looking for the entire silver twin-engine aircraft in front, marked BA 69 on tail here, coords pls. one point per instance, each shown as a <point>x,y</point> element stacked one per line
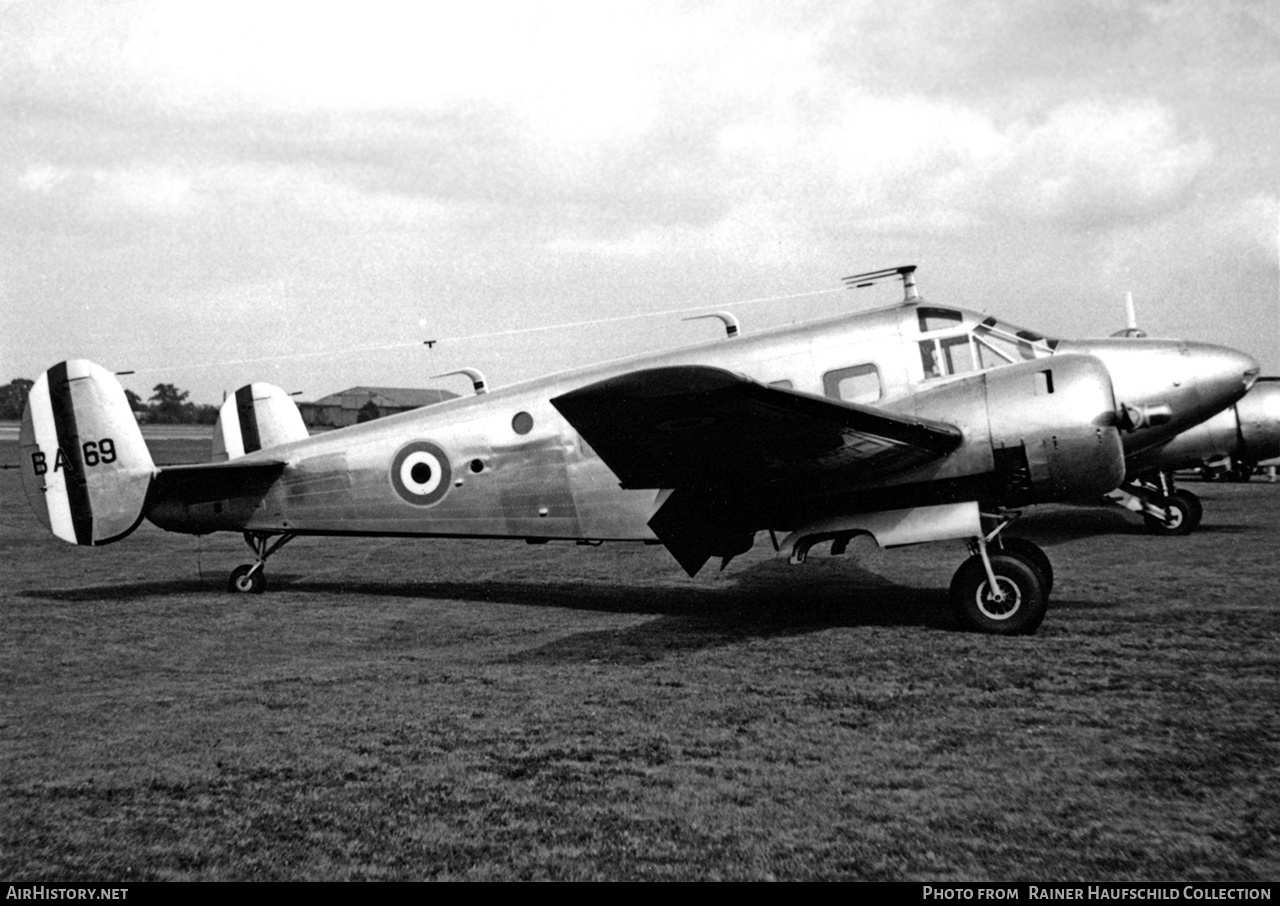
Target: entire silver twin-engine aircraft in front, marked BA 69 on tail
<point>912,424</point>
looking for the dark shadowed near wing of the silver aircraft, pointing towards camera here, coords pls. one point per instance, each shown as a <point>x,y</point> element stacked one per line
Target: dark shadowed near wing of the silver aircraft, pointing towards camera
<point>706,429</point>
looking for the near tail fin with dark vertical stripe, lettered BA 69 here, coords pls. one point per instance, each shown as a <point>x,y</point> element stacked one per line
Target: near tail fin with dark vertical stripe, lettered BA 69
<point>85,465</point>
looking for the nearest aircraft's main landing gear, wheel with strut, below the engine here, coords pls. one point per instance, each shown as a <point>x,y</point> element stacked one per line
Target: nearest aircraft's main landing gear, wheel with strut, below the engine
<point>1004,587</point>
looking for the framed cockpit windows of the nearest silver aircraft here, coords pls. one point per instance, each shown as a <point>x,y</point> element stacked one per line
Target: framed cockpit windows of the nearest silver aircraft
<point>990,345</point>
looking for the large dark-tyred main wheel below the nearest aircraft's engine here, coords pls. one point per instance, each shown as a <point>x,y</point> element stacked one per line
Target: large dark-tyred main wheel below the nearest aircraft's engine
<point>1020,614</point>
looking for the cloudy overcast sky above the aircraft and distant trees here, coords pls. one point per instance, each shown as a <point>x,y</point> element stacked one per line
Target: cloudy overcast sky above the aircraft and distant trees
<point>304,193</point>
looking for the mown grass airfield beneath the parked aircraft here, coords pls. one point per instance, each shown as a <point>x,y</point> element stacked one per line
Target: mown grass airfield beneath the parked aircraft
<point>465,711</point>
